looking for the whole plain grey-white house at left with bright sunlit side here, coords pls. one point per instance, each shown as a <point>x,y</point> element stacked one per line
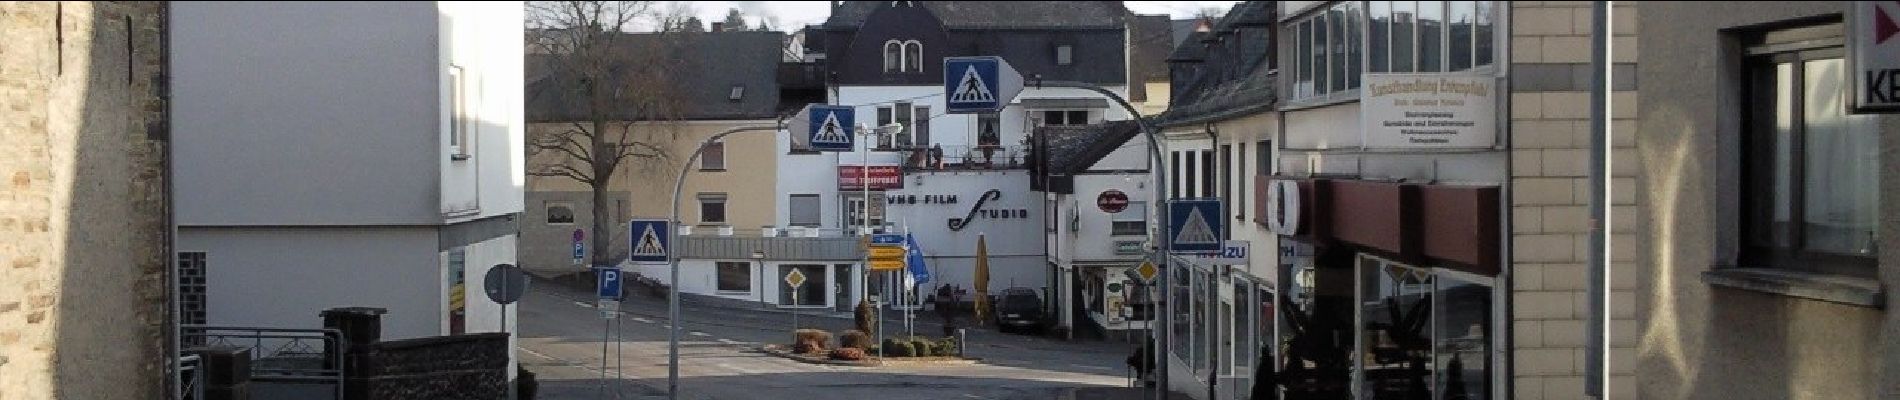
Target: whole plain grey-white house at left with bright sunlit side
<point>347,156</point>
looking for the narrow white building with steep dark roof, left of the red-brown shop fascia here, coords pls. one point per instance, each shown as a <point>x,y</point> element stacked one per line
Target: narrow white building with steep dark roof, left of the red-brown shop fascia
<point>1221,136</point>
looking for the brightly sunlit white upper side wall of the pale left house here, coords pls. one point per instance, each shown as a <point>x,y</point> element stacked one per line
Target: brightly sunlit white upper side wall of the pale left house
<point>489,183</point>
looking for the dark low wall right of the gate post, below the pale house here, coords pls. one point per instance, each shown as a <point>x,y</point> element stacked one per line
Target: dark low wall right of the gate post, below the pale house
<point>440,369</point>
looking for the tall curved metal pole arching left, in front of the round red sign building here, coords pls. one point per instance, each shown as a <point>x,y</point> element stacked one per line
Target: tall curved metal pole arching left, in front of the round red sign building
<point>1158,204</point>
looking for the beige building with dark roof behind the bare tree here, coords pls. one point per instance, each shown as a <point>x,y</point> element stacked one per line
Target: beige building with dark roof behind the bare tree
<point>715,82</point>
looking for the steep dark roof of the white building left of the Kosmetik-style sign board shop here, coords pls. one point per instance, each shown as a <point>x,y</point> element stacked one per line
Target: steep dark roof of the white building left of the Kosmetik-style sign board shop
<point>1226,71</point>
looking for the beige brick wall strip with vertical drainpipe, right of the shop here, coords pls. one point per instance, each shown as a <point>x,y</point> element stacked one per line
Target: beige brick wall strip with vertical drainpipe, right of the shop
<point>1549,177</point>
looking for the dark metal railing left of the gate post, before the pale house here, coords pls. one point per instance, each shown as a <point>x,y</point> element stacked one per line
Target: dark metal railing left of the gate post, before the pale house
<point>280,355</point>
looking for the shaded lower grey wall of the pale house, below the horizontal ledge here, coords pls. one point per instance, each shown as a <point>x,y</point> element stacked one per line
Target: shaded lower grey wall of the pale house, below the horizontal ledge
<point>254,280</point>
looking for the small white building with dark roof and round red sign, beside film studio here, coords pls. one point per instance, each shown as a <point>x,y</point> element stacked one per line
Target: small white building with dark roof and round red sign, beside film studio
<point>1099,191</point>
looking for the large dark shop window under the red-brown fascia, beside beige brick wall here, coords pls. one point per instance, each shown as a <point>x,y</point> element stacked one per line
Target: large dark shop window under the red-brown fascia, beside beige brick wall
<point>1422,333</point>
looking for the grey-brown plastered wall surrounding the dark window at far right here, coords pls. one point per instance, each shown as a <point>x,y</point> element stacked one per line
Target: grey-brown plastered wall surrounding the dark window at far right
<point>1711,342</point>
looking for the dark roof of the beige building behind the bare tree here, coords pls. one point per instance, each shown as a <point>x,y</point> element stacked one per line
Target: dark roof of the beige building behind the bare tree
<point>700,75</point>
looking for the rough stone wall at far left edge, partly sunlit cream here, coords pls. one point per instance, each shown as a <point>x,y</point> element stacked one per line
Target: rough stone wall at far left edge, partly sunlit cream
<point>83,211</point>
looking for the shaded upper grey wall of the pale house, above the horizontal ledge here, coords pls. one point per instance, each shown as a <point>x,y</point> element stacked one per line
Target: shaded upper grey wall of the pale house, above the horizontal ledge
<point>307,115</point>
